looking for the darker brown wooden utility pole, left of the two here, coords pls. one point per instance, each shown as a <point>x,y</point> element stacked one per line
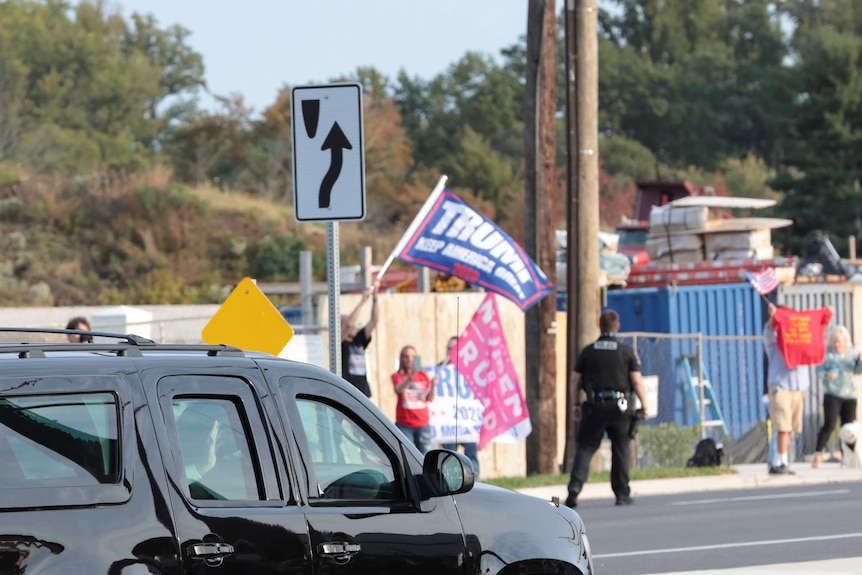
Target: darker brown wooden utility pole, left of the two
<point>540,331</point>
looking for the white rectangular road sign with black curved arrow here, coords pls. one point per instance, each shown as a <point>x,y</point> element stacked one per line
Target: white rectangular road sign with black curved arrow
<point>328,153</point>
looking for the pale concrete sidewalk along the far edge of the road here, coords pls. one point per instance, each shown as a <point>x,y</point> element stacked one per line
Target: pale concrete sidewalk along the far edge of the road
<point>746,477</point>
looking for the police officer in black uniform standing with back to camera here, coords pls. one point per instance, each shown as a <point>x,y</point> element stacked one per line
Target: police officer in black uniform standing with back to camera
<point>608,371</point>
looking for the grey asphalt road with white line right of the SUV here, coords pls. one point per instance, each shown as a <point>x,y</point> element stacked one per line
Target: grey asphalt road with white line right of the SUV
<point>725,529</point>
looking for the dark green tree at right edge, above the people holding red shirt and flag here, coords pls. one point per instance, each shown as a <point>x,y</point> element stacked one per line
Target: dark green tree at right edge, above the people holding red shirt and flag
<point>821,170</point>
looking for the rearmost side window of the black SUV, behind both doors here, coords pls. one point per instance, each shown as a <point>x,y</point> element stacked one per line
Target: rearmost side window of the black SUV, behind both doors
<point>59,440</point>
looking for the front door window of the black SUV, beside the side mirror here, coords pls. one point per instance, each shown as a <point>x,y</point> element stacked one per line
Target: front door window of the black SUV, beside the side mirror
<point>347,460</point>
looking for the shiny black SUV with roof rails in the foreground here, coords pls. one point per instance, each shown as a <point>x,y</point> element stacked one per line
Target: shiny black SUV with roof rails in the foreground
<point>131,457</point>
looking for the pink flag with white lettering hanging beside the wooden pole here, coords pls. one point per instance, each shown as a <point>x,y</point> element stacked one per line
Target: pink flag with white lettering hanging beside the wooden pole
<point>482,358</point>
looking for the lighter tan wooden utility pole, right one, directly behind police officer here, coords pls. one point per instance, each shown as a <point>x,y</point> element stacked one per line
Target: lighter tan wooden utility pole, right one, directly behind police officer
<point>582,117</point>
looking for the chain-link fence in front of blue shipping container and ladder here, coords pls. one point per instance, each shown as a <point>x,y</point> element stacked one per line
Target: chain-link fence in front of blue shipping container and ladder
<point>709,386</point>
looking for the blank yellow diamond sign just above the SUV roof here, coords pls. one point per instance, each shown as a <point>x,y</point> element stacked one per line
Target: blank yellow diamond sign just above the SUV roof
<point>248,320</point>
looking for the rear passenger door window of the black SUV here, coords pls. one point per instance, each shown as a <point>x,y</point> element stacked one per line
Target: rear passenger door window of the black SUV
<point>215,450</point>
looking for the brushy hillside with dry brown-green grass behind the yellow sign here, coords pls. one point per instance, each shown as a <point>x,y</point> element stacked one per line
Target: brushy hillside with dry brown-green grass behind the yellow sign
<point>110,238</point>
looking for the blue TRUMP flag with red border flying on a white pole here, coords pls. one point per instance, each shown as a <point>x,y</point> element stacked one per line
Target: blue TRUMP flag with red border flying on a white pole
<point>449,236</point>
